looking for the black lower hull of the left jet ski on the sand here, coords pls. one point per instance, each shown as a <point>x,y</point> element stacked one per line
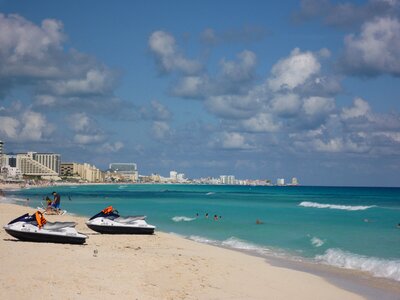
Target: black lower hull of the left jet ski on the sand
<point>45,238</point>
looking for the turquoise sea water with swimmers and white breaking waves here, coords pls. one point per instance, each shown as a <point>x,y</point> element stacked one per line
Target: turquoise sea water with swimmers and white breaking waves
<point>341,226</point>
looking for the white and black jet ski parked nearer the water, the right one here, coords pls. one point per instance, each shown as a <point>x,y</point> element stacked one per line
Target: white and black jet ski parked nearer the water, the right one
<point>109,221</point>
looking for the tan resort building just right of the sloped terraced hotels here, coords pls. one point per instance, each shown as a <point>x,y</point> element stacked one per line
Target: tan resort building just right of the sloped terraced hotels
<point>81,172</point>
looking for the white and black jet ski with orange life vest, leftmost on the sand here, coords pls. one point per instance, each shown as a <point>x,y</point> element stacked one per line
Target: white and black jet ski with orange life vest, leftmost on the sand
<point>35,228</point>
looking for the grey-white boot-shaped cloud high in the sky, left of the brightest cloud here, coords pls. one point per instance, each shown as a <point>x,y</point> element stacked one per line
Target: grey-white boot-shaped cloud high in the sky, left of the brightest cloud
<point>169,58</point>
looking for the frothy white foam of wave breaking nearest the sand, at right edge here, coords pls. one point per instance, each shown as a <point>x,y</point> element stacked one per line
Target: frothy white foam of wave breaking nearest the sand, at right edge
<point>378,267</point>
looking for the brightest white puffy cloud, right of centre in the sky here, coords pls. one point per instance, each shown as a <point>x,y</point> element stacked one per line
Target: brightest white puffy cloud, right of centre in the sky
<point>293,71</point>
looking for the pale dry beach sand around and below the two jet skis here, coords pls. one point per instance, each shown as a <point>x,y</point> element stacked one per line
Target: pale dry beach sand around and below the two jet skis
<point>159,266</point>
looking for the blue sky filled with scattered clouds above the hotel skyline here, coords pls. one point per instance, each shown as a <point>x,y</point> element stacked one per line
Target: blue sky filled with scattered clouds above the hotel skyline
<point>255,89</point>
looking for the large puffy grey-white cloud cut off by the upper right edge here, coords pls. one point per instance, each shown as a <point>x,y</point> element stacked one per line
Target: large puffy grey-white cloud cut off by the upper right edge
<point>375,51</point>
